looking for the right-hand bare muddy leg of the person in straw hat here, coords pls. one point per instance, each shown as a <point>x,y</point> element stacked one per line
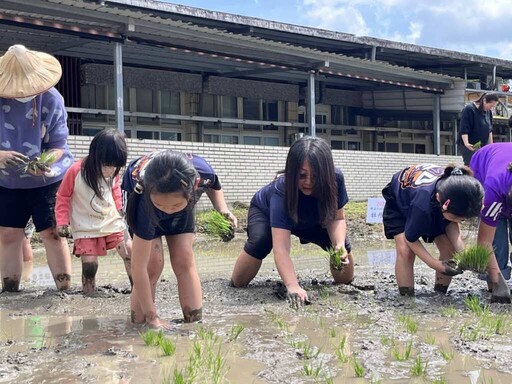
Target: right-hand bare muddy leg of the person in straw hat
<point>58,256</point>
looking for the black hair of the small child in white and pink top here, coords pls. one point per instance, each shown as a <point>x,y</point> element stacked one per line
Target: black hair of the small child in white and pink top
<point>108,148</point>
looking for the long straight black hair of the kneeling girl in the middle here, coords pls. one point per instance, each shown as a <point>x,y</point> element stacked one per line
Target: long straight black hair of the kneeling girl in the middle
<point>318,154</point>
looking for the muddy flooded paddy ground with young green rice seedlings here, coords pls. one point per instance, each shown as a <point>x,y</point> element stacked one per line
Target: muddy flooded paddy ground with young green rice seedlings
<point>365,329</point>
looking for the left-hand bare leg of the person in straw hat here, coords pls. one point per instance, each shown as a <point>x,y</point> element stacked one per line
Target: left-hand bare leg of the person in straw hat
<point>11,257</point>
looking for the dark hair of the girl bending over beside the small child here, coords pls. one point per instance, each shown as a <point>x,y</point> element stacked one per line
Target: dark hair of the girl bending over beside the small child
<point>167,172</point>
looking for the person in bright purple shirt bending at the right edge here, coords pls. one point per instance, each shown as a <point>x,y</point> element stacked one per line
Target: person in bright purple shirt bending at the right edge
<point>492,165</point>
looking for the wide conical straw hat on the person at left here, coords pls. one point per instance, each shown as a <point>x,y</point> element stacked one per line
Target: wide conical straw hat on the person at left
<point>25,73</point>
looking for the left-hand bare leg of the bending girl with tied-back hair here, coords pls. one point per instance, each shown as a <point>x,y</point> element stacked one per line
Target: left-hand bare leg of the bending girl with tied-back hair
<point>404,266</point>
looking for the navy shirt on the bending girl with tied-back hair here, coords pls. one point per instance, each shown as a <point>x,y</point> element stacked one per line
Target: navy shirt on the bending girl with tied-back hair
<point>414,189</point>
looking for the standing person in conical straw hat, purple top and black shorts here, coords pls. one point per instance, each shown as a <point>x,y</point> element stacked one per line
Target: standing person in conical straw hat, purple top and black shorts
<point>33,125</point>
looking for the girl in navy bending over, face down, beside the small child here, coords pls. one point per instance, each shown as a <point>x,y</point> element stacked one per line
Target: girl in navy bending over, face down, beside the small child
<point>161,190</point>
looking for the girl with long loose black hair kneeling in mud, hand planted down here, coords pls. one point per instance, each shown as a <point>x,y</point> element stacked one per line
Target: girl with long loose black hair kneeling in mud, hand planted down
<point>307,201</point>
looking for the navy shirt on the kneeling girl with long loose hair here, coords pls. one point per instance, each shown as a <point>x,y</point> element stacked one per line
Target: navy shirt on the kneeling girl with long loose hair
<point>270,199</point>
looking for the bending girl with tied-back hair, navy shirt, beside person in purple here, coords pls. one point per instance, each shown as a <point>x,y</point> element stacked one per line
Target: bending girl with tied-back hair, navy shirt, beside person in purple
<point>428,202</point>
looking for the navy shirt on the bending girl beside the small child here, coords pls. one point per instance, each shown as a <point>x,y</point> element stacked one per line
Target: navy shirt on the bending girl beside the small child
<point>135,171</point>
